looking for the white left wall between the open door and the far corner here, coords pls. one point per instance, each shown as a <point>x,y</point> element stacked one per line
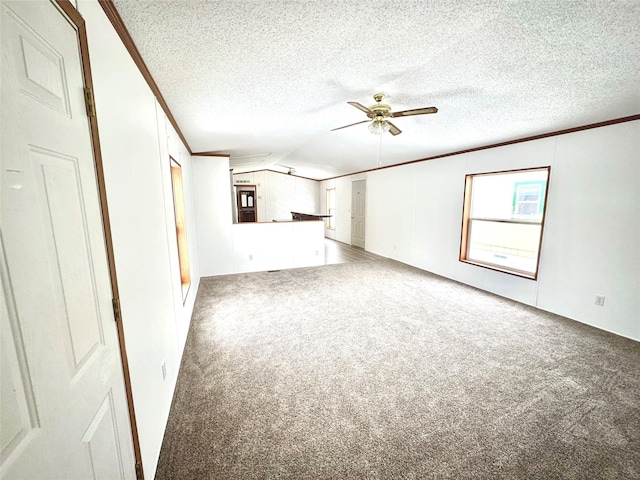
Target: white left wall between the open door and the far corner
<point>136,141</point>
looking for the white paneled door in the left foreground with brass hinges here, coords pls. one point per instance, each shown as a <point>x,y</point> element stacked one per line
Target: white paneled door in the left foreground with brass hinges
<point>64,412</point>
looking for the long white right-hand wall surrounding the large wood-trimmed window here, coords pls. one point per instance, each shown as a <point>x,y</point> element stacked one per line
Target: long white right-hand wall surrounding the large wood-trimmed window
<point>591,239</point>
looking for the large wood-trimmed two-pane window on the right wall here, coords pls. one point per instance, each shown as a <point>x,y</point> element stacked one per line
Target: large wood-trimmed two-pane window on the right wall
<point>503,219</point>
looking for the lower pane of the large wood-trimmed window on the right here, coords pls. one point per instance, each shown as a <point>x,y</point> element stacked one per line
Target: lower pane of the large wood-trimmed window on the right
<point>512,245</point>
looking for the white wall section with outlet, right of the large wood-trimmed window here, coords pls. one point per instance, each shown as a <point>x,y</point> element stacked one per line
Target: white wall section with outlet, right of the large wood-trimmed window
<point>593,230</point>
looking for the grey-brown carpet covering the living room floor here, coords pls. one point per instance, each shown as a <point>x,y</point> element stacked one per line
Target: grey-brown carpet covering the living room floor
<point>381,370</point>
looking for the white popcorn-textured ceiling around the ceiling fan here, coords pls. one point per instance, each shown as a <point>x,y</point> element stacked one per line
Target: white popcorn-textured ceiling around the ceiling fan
<point>272,78</point>
